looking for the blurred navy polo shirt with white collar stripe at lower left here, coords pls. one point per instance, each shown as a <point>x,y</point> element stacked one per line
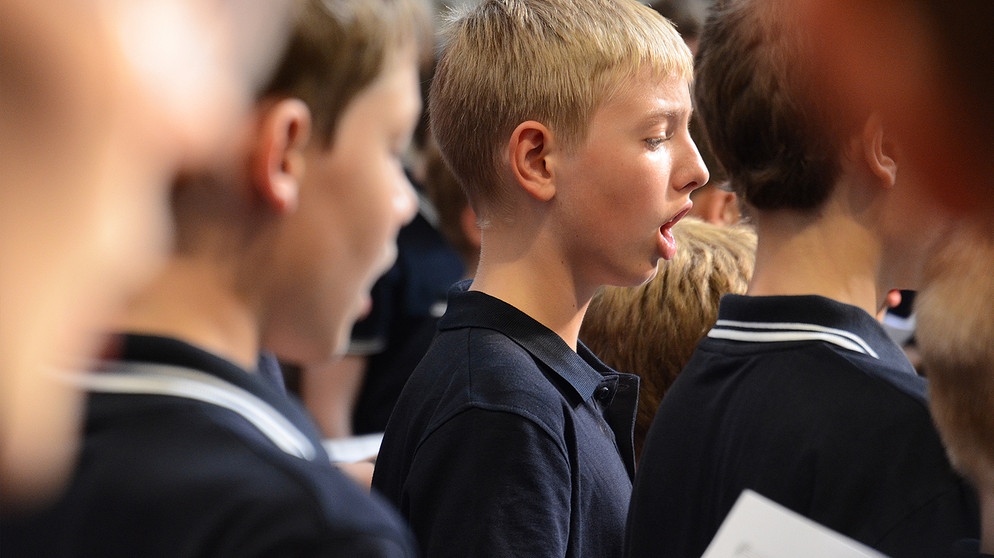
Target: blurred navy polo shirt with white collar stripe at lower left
<point>186,454</point>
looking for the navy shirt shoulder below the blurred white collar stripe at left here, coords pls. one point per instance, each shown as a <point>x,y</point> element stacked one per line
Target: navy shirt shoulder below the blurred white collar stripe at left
<point>186,469</point>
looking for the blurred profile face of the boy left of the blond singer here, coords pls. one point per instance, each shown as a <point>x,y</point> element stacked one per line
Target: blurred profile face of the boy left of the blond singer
<point>354,199</point>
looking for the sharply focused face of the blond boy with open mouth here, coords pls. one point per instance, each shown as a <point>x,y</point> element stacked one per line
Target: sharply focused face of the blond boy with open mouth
<point>623,189</point>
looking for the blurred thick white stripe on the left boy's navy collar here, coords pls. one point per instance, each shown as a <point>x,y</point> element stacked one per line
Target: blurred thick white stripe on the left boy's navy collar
<point>159,379</point>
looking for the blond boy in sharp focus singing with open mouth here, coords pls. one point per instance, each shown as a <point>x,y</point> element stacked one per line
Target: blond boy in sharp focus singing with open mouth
<point>566,123</point>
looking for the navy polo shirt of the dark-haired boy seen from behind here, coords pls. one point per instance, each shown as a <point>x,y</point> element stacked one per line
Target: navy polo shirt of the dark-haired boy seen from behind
<point>808,402</point>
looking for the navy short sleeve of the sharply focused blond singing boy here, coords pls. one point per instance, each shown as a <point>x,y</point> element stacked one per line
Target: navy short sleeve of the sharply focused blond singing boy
<point>490,483</point>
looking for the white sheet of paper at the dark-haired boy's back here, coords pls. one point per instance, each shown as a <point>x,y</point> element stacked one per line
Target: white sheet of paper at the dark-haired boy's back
<point>758,527</point>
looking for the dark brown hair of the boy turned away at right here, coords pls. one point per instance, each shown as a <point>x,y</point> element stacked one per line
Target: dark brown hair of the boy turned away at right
<point>762,121</point>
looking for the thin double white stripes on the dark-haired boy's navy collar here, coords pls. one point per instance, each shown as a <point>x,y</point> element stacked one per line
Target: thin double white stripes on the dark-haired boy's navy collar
<point>789,332</point>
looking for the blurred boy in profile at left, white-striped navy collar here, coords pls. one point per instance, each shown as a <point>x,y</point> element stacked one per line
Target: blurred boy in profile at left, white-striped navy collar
<point>189,450</point>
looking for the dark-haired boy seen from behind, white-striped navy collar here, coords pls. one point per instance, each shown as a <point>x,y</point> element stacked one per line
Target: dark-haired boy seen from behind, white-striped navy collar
<point>797,392</point>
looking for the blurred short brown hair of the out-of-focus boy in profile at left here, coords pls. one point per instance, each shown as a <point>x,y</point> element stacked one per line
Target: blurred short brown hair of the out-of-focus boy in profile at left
<point>339,47</point>
